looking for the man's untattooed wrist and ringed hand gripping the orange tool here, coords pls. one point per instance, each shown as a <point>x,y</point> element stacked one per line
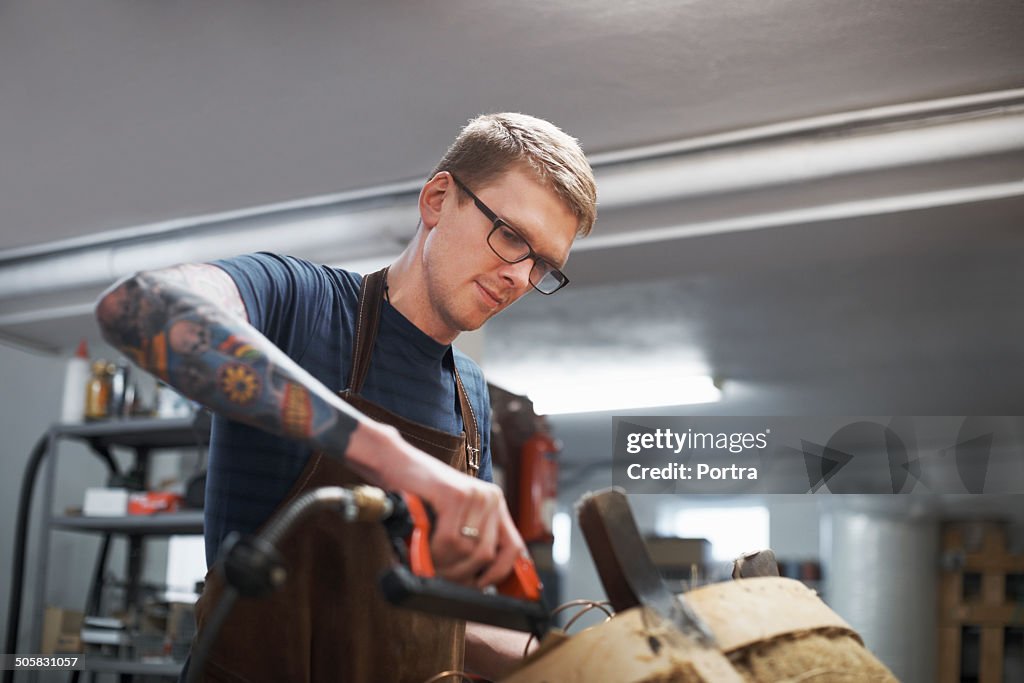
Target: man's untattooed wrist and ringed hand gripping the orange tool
<point>462,505</point>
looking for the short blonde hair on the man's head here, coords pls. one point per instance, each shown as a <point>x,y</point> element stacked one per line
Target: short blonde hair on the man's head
<point>493,144</point>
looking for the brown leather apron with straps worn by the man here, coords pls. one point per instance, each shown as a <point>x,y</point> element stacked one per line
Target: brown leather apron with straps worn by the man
<point>329,622</point>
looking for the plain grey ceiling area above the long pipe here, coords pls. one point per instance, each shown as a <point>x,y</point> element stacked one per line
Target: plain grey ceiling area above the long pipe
<point>118,114</point>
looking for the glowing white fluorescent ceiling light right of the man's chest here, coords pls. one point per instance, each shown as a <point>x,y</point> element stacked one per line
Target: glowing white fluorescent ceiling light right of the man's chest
<point>615,390</point>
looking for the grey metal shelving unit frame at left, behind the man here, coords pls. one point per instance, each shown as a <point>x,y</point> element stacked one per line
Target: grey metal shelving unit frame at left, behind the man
<point>142,437</point>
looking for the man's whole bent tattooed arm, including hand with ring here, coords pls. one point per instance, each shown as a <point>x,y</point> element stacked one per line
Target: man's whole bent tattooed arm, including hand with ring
<point>189,327</point>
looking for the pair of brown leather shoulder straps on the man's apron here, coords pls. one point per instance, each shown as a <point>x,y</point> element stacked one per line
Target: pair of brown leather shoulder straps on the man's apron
<point>367,326</point>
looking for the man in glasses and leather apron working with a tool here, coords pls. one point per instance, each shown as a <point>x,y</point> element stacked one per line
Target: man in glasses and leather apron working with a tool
<point>267,341</point>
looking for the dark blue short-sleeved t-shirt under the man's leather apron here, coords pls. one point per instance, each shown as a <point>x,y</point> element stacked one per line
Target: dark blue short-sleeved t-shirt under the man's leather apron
<point>310,313</point>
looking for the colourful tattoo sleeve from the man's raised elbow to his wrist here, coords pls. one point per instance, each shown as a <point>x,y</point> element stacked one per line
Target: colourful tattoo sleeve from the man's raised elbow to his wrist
<point>202,346</point>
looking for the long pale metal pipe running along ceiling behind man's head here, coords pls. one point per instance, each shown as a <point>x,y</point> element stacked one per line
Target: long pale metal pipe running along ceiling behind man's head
<point>376,224</point>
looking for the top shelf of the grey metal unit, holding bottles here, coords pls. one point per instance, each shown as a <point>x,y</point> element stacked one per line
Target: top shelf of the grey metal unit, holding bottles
<point>143,433</point>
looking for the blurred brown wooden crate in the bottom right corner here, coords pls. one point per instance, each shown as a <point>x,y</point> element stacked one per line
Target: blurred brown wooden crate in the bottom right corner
<point>974,599</point>
